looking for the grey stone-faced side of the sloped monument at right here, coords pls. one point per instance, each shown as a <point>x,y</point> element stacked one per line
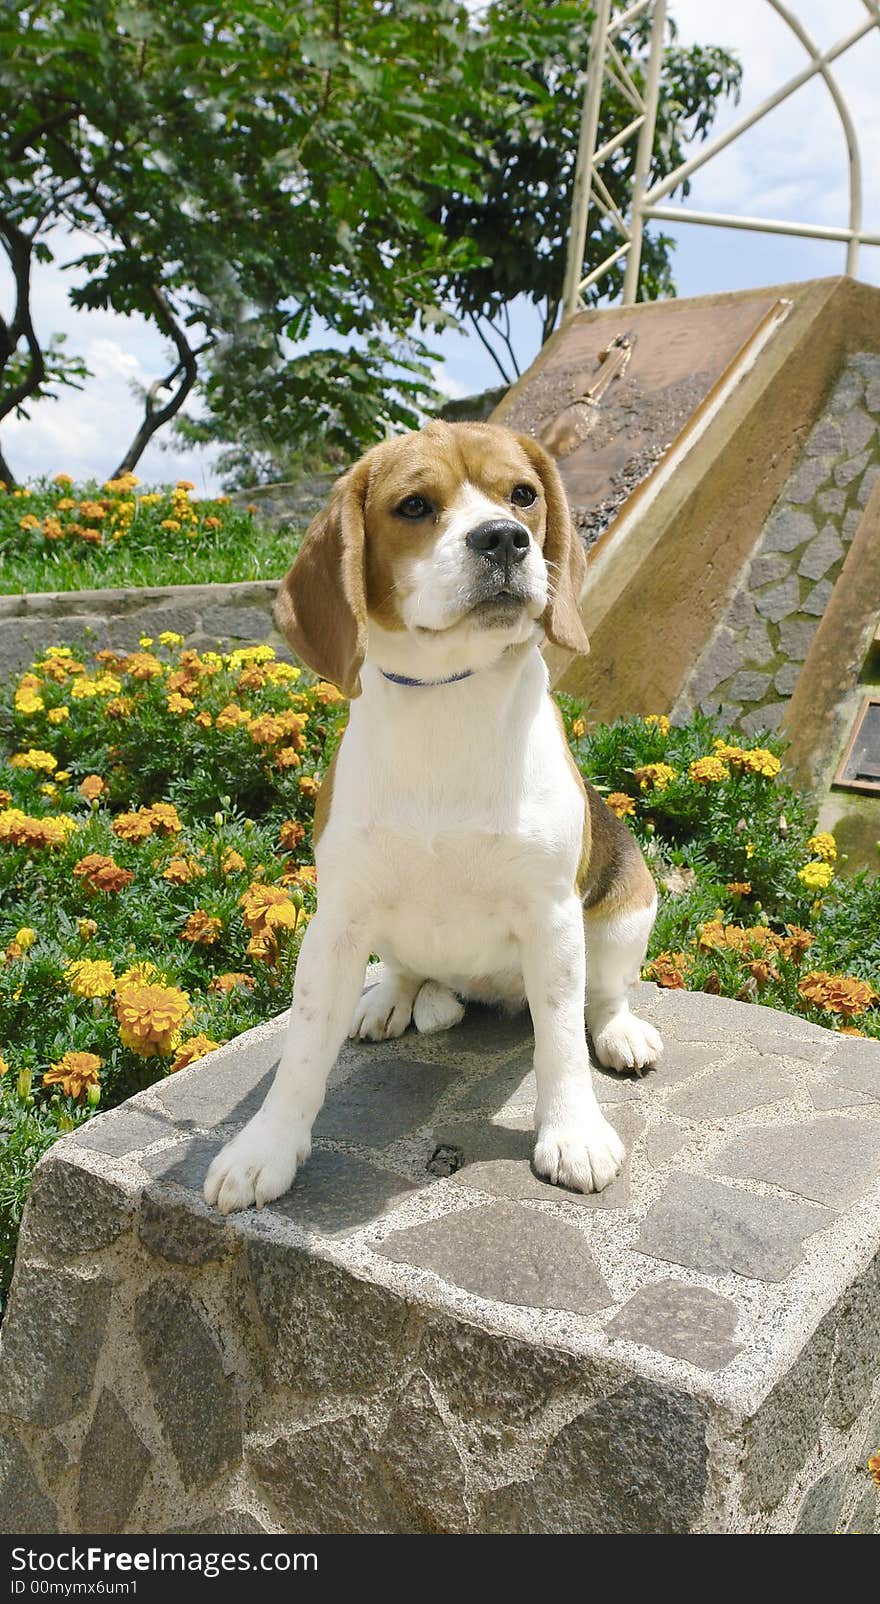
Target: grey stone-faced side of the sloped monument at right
<point>753,663</point>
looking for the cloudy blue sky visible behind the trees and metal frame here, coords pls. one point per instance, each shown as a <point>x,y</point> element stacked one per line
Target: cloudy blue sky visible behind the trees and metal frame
<point>791,166</point>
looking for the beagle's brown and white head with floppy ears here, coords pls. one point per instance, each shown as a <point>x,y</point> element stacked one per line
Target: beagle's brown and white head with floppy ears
<point>435,553</point>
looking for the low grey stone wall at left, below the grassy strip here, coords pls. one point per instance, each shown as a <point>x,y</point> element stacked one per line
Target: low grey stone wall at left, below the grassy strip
<point>208,617</point>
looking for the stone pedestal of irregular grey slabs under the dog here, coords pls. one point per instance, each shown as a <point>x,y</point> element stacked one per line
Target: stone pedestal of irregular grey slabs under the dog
<point>426,1337</point>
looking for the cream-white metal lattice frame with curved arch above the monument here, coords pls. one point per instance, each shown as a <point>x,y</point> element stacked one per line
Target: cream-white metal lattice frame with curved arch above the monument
<point>648,203</point>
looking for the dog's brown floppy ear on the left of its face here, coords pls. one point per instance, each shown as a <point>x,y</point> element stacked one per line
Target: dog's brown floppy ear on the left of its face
<point>321,607</point>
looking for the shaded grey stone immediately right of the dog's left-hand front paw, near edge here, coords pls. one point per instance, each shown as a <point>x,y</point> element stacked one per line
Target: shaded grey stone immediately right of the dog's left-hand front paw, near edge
<point>337,1194</point>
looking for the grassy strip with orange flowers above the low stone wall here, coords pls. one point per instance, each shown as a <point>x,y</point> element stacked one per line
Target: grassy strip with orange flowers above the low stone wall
<point>134,549</point>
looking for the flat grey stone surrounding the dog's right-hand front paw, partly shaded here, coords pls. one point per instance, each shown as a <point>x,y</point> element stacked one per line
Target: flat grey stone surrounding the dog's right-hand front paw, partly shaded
<point>499,1160</point>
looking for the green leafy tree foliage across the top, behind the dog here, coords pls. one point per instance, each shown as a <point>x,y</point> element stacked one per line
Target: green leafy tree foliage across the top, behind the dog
<point>249,174</point>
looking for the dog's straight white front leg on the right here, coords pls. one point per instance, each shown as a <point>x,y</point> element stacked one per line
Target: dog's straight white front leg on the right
<point>576,1146</point>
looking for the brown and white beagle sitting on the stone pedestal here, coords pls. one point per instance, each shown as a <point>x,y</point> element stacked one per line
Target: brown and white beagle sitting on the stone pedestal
<point>454,833</point>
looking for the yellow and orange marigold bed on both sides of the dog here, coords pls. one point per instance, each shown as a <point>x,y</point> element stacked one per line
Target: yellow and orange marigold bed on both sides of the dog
<point>156,873</point>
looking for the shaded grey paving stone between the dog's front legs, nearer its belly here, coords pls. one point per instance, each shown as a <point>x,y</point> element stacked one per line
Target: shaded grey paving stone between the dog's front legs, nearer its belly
<point>387,1098</point>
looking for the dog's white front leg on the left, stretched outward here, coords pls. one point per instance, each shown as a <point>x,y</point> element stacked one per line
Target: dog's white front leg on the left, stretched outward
<point>262,1160</point>
